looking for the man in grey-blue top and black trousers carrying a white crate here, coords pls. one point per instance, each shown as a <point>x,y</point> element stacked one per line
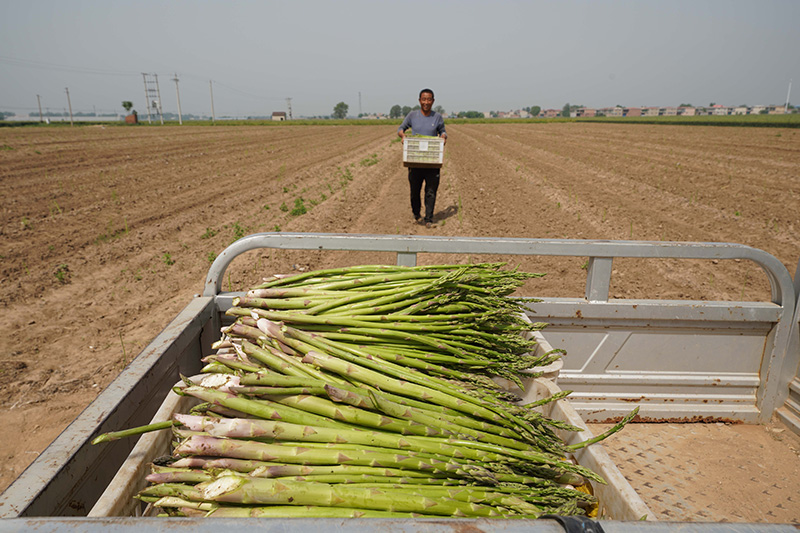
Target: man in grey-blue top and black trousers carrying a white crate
<point>423,121</point>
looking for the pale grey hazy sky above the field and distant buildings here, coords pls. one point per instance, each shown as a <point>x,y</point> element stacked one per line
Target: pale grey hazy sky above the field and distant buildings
<point>499,55</point>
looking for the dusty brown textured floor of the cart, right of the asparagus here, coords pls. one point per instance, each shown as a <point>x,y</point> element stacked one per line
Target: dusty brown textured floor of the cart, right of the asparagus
<point>715,472</point>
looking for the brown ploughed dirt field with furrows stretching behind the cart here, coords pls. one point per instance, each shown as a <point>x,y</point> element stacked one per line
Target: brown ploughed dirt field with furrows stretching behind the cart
<point>106,233</point>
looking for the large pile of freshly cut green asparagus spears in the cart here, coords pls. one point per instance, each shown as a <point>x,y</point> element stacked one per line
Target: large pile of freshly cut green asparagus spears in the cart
<point>368,391</point>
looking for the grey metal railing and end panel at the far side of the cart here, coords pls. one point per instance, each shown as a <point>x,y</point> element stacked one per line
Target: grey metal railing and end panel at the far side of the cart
<point>749,391</point>
